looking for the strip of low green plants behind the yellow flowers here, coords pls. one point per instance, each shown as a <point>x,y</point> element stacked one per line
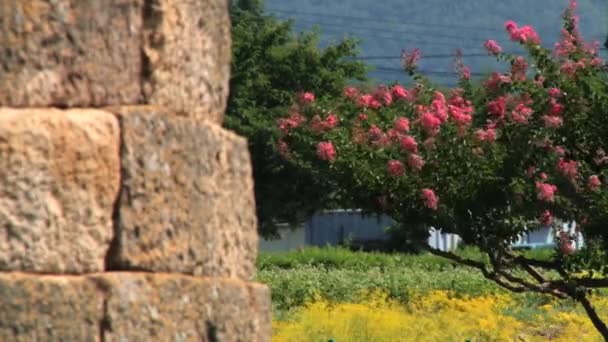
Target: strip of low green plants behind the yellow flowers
<point>338,274</point>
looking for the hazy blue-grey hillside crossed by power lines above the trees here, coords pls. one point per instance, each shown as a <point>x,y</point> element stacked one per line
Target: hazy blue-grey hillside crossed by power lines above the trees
<point>438,27</point>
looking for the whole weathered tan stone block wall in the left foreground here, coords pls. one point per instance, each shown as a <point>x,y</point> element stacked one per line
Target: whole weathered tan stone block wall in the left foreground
<point>126,212</point>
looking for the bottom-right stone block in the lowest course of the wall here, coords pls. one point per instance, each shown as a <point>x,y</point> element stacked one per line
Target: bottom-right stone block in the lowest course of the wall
<point>167,307</point>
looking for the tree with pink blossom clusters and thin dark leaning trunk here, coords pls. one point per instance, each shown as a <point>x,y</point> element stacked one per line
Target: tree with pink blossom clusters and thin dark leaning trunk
<point>488,160</point>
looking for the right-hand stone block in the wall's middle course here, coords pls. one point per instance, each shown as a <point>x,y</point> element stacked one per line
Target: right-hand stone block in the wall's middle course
<point>186,203</point>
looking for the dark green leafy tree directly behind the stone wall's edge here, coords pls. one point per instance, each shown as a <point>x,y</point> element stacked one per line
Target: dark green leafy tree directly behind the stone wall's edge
<point>270,62</point>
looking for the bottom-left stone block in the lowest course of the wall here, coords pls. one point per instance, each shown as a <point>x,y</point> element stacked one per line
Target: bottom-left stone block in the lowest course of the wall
<point>49,308</point>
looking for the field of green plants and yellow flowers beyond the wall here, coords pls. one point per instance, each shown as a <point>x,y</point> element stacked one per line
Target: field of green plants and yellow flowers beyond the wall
<point>322,293</point>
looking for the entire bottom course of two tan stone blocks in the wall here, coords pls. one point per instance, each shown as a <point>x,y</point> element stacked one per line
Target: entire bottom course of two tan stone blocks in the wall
<point>132,307</point>
